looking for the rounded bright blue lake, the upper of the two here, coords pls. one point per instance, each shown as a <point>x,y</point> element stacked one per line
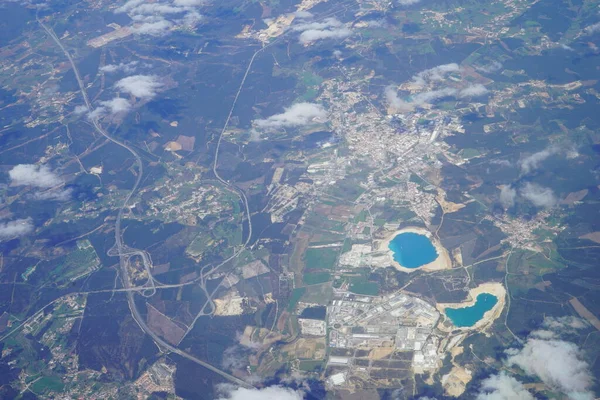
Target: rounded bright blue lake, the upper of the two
<point>412,250</point>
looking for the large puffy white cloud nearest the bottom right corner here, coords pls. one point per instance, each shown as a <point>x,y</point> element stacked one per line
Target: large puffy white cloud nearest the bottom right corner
<point>559,364</point>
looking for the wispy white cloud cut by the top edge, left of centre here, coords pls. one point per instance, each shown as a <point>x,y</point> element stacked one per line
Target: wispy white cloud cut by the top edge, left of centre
<point>160,17</point>
